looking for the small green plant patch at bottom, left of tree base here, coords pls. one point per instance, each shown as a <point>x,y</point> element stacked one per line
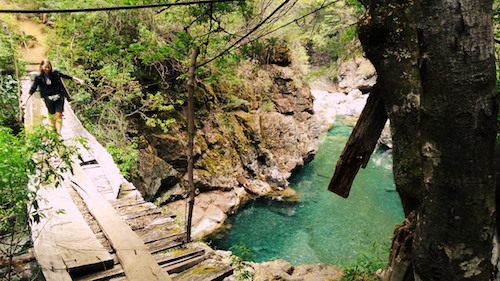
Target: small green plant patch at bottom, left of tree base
<point>366,264</point>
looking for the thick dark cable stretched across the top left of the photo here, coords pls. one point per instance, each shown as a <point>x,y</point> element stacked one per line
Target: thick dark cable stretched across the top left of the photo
<point>86,10</point>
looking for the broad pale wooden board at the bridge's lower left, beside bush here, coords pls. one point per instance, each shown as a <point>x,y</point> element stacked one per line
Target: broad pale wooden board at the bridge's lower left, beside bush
<point>68,237</point>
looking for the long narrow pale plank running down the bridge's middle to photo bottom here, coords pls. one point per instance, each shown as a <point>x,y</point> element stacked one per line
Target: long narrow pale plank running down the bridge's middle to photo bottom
<point>134,256</point>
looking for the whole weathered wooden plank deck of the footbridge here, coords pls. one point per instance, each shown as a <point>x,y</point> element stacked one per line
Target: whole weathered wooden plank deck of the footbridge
<point>98,226</point>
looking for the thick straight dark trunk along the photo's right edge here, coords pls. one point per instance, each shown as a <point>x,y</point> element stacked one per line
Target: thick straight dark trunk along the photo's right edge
<point>456,227</point>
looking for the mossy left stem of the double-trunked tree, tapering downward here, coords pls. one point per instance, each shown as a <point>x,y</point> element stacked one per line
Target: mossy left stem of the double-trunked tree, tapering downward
<point>388,34</point>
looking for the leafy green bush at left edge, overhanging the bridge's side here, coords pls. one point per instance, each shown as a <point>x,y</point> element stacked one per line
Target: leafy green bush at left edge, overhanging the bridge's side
<point>28,160</point>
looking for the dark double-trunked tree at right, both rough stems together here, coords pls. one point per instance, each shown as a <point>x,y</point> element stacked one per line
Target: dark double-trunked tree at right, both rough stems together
<point>435,66</point>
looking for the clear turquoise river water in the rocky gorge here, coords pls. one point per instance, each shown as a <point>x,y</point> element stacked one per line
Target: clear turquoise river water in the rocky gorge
<point>323,227</point>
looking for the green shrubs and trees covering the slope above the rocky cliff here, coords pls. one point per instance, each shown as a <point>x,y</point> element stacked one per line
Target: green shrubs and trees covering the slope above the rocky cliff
<point>136,61</point>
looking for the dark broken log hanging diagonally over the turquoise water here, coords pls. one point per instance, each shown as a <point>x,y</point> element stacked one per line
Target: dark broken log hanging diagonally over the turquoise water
<point>360,145</point>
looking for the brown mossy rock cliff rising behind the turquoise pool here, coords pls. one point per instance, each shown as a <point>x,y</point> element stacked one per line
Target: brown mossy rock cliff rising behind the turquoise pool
<point>240,153</point>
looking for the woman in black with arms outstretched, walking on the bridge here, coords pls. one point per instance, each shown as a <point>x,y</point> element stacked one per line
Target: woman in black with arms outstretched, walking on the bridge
<point>52,91</point>
